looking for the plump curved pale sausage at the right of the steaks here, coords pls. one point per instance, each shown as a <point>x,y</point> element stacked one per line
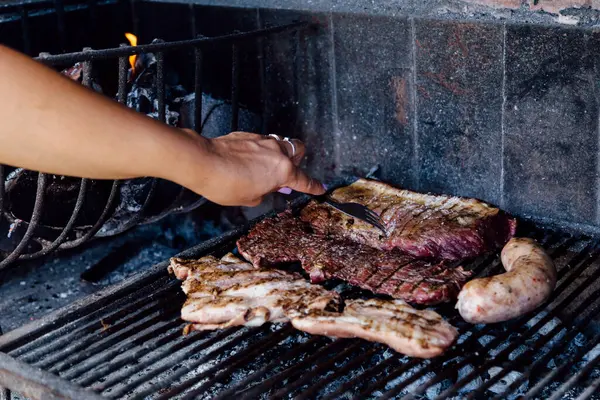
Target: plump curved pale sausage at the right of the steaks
<point>528,283</point>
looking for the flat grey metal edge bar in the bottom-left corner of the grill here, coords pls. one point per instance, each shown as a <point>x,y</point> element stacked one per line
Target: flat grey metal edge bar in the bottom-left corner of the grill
<point>38,384</point>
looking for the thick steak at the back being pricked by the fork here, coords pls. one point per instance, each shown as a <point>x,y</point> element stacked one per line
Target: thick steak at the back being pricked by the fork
<point>422,225</point>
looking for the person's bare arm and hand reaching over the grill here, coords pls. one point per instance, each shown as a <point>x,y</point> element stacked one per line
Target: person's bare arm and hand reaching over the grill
<point>54,125</point>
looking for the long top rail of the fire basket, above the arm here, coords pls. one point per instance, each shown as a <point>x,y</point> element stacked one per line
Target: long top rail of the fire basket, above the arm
<point>68,58</point>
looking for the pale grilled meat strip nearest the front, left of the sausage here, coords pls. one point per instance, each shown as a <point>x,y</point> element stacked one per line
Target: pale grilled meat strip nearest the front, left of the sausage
<point>416,333</point>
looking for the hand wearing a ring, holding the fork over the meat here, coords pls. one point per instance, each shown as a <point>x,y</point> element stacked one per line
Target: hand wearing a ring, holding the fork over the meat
<point>244,167</point>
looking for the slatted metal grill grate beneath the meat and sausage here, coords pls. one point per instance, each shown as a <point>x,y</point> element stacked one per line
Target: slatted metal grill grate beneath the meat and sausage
<point>127,342</point>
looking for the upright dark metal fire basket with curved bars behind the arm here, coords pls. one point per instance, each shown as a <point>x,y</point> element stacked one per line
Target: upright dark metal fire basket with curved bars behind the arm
<point>30,245</point>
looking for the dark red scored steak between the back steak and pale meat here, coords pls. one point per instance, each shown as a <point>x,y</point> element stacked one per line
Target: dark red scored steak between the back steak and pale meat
<point>285,238</point>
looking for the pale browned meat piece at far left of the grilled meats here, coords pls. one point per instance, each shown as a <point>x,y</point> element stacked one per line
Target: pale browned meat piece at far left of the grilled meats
<point>229,292</point>
